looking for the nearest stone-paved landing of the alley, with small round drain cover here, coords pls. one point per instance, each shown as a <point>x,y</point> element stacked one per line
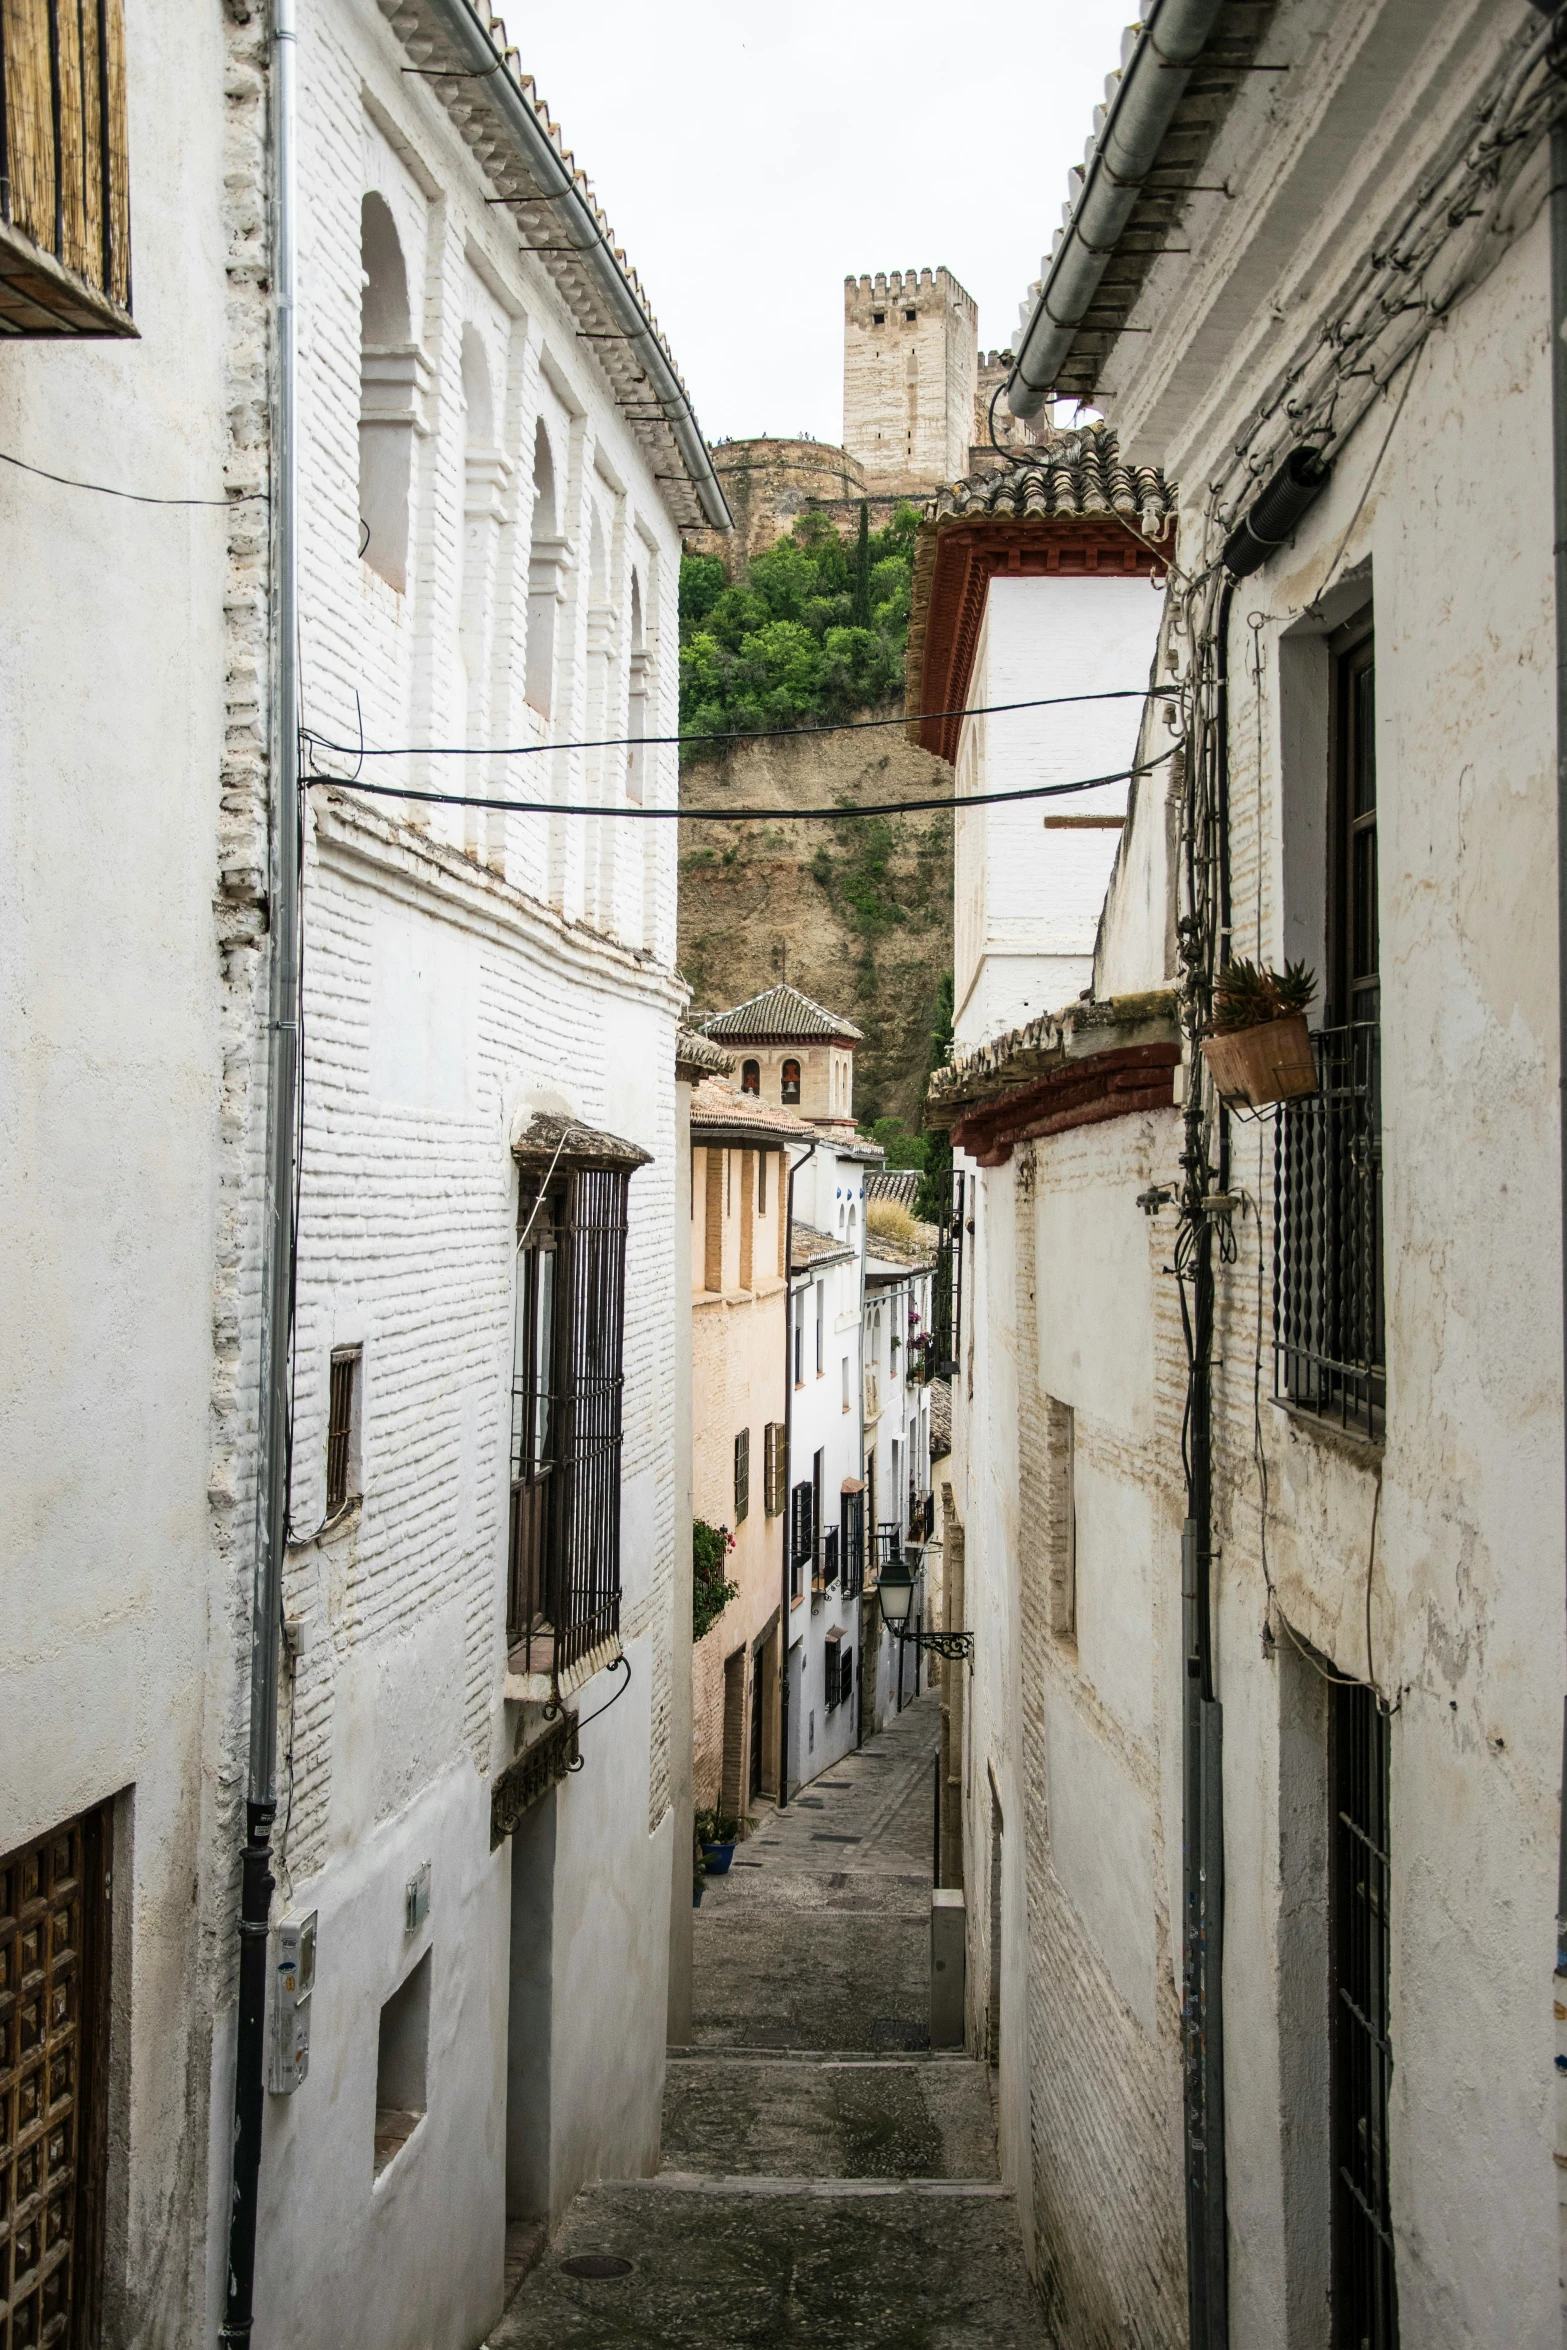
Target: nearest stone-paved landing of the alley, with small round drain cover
<point>899,2269</point>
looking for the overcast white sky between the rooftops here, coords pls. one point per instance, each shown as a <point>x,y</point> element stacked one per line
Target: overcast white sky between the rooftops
<point>753,156</point>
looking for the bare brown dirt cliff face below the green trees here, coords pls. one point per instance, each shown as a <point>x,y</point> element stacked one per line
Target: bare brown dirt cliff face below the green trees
<point>863,906</point>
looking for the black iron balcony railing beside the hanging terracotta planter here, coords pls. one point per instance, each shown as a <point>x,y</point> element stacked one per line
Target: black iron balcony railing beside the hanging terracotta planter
<point>1329,1322</point>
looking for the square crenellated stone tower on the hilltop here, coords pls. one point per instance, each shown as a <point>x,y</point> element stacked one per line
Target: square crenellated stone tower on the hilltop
<point>910,356</point>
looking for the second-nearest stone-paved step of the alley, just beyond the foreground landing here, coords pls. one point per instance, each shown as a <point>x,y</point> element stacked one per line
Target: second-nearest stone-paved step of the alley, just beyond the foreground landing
<point>830,2119</point>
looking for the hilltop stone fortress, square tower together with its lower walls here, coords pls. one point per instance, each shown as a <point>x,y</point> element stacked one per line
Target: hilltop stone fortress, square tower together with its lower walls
<point>917,394</point>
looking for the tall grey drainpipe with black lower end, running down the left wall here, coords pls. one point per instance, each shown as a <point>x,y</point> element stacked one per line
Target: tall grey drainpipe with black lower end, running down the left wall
<point>278,1235</point>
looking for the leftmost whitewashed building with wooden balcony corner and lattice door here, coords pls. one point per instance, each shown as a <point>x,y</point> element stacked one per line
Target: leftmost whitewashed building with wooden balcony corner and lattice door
<point>133,518</point>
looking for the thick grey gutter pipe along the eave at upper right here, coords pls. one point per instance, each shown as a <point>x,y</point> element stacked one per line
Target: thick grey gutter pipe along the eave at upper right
<point>1141,114</point>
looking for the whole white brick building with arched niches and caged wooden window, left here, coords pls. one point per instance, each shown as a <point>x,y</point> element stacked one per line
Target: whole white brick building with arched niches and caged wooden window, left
<point>487,1637</point>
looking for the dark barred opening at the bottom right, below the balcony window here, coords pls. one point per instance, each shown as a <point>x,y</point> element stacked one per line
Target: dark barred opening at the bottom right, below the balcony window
<point>1359,1888</point>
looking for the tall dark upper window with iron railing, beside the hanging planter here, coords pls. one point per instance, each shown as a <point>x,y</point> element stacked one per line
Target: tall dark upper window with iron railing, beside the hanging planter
<point>1329,1312</point>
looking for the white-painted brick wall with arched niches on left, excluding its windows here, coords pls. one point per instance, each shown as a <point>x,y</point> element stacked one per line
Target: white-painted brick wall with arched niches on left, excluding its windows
<point>464,972</point>
